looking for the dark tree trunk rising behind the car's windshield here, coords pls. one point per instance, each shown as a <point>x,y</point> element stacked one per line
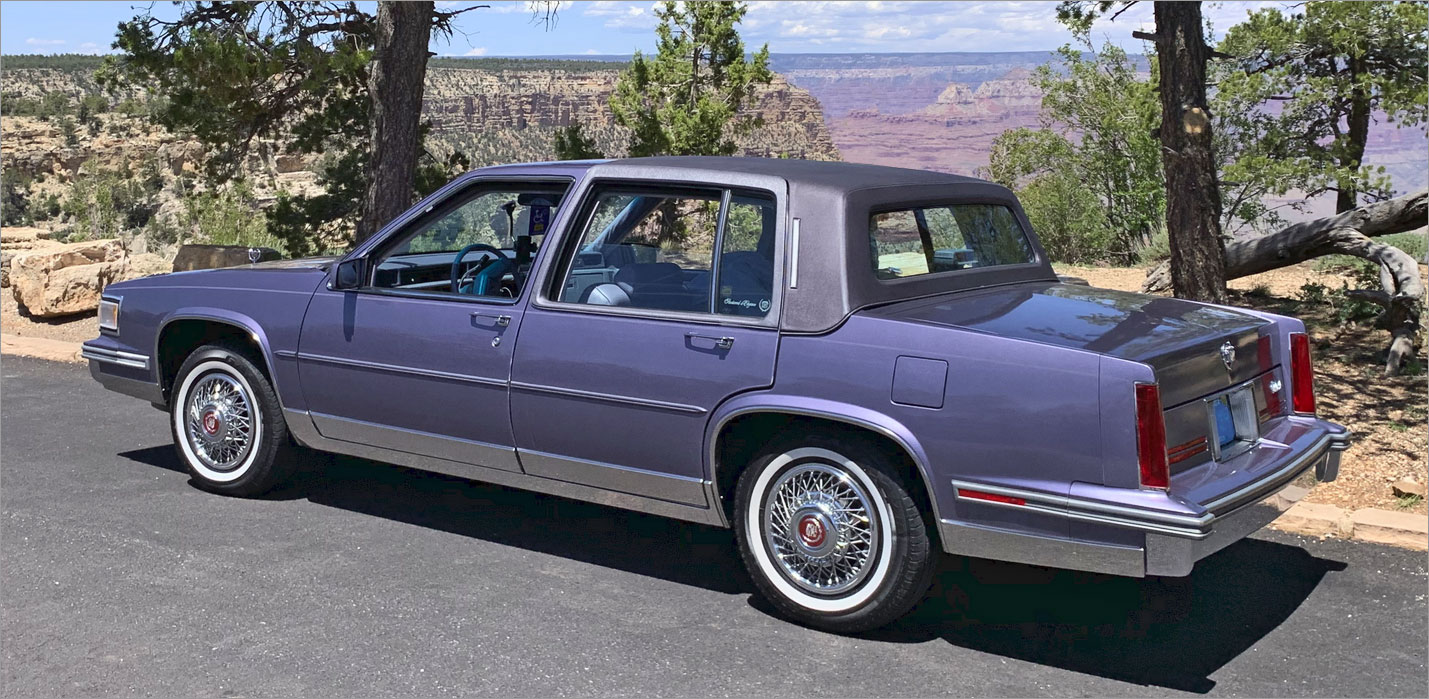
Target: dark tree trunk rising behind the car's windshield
<point>395,84</point>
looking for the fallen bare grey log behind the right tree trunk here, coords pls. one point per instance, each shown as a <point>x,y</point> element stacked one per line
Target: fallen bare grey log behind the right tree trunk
<point>1345,234</point>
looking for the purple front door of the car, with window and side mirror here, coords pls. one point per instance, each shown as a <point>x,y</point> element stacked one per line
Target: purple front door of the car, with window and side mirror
<point>419,358</point>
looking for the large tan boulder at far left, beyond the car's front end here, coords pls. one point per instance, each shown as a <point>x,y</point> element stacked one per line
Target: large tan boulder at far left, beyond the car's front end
<point>66,279</point>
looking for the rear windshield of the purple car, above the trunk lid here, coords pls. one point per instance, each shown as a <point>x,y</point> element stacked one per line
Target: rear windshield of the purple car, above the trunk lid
<point>938,239</point>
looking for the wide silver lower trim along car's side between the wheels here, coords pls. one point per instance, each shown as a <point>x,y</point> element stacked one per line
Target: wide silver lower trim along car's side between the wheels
<point>301,425</point>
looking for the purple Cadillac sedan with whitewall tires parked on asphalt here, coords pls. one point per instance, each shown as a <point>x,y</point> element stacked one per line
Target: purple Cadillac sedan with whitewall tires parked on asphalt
<point>852,367</point>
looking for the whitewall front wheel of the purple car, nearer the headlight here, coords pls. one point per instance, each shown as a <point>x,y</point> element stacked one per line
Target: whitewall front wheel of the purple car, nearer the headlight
<point>228,425</point>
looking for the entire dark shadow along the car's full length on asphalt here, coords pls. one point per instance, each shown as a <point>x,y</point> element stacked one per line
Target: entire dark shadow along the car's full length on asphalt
<point>1168,633</point>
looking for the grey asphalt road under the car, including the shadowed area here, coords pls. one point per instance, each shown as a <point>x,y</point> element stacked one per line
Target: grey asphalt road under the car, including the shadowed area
<point>364,580</point>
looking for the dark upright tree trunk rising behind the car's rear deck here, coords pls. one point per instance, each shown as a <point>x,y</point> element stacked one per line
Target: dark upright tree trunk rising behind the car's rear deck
<point>1193,192</point>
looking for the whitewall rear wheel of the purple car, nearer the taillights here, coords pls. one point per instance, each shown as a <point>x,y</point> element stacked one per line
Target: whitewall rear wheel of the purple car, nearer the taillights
<point>832,535</point>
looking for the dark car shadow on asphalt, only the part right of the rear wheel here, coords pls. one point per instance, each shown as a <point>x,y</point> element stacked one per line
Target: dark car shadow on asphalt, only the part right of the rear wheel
<point>1170,633</point>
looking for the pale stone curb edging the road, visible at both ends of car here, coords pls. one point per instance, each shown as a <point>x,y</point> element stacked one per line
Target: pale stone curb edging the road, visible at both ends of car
<point>1304,518</point>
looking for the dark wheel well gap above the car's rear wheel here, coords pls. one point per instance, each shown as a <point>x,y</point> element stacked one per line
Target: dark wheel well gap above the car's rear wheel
<point>741,440</point>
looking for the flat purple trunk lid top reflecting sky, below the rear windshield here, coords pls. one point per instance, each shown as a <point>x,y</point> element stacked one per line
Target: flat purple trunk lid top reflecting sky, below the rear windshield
<point>1134,327</point>
